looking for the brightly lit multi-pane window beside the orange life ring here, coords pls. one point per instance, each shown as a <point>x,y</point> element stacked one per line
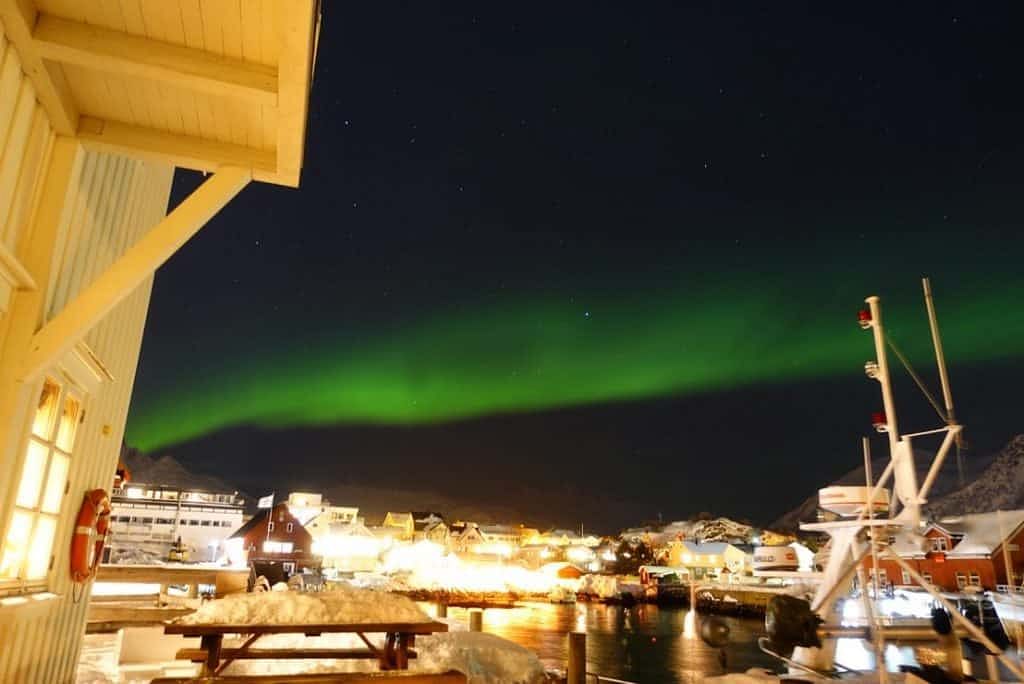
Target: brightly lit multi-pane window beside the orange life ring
<point>28,545</point>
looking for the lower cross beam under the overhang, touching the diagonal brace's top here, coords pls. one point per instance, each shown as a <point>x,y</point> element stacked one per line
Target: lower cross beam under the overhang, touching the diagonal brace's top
<point>182,151</point>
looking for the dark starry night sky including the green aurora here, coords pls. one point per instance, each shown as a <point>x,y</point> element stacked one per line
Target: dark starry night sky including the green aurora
<point>599,263</point>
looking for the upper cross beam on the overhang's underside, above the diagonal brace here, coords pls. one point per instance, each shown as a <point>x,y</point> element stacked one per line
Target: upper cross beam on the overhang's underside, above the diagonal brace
<point>118,53</point>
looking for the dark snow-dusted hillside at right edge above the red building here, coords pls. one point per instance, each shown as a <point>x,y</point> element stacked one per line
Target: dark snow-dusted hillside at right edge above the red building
<point>1001,486</point>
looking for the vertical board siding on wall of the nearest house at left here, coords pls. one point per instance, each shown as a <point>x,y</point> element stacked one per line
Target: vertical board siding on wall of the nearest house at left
<point>111,203</point>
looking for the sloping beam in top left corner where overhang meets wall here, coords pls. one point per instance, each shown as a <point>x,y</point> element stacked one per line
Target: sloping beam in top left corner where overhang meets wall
<point>19,18</point>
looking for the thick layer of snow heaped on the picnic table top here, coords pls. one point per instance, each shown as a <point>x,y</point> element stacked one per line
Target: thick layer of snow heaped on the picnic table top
<point>347,605</point>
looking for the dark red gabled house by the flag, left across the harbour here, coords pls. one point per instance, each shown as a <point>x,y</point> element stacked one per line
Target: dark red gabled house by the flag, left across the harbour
<point>274,535</point>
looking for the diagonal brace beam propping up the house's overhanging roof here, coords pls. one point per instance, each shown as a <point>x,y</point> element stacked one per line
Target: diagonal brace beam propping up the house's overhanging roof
<point>125,275</point>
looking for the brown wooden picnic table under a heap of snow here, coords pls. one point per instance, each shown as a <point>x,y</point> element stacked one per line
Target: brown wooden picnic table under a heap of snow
<point>395,655</point>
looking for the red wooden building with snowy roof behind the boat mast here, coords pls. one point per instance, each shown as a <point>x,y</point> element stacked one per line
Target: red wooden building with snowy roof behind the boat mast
<point>960,552</point>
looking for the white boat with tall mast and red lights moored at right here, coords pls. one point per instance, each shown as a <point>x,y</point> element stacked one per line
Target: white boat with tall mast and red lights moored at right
<point>860,521</point>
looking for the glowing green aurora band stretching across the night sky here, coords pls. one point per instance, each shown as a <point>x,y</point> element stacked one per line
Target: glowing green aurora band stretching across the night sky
<point>533,355</point>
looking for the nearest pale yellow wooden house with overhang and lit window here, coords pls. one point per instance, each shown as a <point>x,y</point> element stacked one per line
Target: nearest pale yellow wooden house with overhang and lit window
<point>100,102</point>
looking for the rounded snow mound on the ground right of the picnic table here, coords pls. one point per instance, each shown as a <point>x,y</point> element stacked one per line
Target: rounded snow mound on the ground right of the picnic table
<point>484,658</point>
